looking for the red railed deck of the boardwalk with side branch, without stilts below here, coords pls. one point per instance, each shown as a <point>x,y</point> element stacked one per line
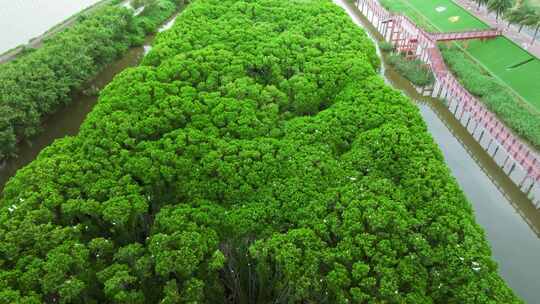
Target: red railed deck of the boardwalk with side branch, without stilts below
<point>409,35</point>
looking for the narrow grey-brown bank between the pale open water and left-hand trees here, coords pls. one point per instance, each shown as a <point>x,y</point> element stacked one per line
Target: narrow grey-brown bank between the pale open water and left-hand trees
<point>35,42</point>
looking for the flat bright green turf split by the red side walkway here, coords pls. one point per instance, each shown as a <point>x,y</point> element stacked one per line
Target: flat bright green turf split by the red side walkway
<point>496,55</point>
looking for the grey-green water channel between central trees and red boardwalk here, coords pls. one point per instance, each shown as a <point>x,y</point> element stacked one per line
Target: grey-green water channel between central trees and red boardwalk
<point>511,222</point>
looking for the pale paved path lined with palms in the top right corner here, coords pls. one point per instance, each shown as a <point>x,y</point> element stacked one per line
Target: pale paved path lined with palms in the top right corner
<point>523,39</point>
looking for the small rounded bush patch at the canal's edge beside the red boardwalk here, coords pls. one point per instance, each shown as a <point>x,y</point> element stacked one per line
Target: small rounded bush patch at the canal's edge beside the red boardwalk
<point>415,70</point>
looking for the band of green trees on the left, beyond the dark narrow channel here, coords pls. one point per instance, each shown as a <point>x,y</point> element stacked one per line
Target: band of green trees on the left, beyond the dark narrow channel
<point>41,81</point>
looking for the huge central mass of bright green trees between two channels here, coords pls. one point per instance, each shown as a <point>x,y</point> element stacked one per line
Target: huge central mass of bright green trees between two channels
<point>255,157</point>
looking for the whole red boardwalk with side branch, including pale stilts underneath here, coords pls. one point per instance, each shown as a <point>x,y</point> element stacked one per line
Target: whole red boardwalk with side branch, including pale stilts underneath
<point>517,160</point>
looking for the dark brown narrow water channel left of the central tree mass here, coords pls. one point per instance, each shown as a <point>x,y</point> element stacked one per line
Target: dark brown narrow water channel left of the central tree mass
<point>67,120</point>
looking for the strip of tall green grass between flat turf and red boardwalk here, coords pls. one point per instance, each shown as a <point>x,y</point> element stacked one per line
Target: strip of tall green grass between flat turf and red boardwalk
<point>517,114</point>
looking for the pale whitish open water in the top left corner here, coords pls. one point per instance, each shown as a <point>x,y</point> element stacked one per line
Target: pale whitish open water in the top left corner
<point>22,20</point>
